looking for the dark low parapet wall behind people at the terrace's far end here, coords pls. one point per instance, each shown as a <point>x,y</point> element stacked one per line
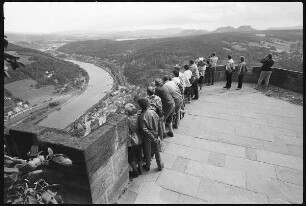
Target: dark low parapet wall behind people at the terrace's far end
<point>287,79</point>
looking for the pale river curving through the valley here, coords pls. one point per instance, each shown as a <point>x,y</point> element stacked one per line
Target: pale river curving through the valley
<point>100,82</point>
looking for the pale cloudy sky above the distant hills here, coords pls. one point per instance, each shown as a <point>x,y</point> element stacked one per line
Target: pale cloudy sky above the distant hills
<point>100,17</point>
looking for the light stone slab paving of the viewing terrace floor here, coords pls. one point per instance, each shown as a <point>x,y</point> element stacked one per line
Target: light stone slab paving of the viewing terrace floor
<point>233,146</point>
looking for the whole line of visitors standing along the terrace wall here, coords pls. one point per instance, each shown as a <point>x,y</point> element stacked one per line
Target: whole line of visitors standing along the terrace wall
<point>163,107</point>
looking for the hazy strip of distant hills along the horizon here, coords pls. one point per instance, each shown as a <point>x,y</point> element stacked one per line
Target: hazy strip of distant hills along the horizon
<point>136,34</point>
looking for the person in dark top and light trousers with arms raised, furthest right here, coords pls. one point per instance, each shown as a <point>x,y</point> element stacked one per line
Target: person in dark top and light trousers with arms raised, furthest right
<point>266,71</point>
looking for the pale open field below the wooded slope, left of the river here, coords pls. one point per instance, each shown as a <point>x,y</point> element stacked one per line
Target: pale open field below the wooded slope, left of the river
<point>23,90</point>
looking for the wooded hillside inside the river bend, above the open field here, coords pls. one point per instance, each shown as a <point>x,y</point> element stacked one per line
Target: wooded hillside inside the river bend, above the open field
<point>37,63</point>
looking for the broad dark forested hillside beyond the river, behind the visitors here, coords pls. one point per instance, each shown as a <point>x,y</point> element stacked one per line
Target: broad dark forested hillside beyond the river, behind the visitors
<point>145,59</point>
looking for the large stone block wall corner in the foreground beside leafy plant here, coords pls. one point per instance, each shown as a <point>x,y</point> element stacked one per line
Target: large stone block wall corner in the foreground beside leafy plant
<point>100,169</point>
